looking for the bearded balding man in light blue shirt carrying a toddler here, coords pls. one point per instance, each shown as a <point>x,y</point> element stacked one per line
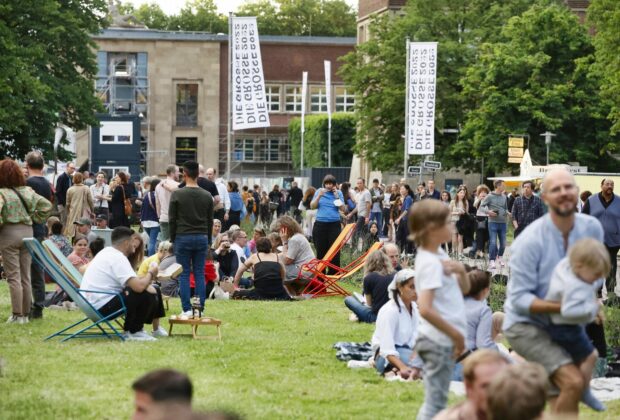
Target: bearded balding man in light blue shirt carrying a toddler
<point>535,253</point>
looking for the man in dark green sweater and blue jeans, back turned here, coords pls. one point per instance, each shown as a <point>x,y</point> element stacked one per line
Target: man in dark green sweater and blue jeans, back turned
<point>191,224</point>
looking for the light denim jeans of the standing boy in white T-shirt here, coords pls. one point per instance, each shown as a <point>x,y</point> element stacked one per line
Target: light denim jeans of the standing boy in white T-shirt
<point>438,368</point>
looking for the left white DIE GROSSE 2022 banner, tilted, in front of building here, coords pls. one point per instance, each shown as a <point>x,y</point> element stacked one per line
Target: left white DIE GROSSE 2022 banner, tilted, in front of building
<point>249,105</point>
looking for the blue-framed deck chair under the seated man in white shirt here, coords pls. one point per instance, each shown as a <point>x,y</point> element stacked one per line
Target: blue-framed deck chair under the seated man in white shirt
<point>94,319</point>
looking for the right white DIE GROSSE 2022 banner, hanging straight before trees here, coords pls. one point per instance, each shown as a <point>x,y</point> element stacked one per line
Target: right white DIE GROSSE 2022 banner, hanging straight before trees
<point>422,76</point>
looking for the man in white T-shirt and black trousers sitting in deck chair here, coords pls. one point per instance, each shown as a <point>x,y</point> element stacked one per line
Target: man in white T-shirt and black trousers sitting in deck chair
<point>110,271</point>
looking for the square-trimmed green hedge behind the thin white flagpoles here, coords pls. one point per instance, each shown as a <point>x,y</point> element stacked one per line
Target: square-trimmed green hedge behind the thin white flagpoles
<point>315,140</point>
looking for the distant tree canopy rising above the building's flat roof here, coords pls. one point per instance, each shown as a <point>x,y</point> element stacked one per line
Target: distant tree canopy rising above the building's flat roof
<point>277,17</point>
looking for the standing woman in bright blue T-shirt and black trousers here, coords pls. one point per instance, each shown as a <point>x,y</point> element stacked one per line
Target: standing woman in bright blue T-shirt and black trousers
<point>328,201</point>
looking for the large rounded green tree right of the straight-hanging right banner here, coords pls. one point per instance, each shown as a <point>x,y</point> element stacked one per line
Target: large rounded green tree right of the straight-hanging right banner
<point>537,78</point>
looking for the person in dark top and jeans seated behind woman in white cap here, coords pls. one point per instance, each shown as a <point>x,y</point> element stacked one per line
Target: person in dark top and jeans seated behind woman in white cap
<point>378,274</point>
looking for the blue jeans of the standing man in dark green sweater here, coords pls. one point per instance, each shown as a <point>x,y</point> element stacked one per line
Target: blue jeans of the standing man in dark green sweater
<point>190,251</point>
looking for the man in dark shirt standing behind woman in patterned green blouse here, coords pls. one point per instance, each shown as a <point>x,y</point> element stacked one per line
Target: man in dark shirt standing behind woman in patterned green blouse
<point>40,185</point>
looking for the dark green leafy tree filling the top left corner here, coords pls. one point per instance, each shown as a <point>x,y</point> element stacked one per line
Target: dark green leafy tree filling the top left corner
<point>47,71</point>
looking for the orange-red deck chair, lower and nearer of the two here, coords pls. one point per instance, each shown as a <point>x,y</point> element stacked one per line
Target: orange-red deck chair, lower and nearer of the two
<point>321,285</point>
